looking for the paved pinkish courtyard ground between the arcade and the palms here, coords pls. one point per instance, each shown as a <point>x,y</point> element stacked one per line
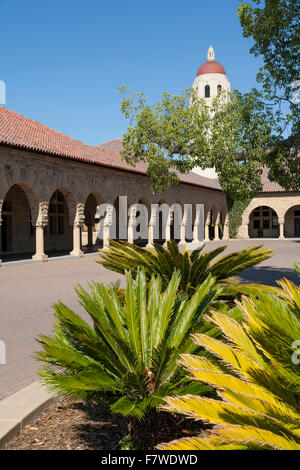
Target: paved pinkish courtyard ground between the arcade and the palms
<point>27,292</point>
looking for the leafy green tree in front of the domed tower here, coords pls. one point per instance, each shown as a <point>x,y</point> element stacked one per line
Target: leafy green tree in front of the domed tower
<point>180,132</point>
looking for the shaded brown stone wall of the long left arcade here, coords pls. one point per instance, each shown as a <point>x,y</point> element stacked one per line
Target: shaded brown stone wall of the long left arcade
<point>38,176</point>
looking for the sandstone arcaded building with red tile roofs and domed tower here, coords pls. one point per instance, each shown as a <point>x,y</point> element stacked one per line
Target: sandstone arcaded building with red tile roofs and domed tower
<point>52,184</point>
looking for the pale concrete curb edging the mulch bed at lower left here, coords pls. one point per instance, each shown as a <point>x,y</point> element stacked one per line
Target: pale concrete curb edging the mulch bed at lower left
<point>20,408</point>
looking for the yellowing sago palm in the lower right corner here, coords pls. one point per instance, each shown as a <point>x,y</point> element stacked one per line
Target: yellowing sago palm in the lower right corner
<point>256,374</point>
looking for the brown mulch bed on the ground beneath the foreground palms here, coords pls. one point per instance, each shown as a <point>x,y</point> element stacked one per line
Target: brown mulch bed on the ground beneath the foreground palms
<point>65,425</point>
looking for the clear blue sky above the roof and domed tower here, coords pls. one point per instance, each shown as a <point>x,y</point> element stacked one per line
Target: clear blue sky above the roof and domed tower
<point>63,60</point>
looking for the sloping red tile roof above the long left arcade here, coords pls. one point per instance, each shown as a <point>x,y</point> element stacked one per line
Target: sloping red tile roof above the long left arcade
<point>21,132</point>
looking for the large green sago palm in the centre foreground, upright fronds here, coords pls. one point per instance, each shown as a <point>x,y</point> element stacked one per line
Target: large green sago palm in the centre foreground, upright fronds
<point>128,358</point>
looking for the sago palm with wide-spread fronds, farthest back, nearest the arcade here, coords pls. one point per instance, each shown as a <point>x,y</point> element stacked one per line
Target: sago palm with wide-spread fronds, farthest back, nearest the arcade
<point>194,266</point>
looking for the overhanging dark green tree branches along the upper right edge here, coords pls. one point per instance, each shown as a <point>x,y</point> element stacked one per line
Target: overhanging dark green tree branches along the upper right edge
<point>274,27</point>
